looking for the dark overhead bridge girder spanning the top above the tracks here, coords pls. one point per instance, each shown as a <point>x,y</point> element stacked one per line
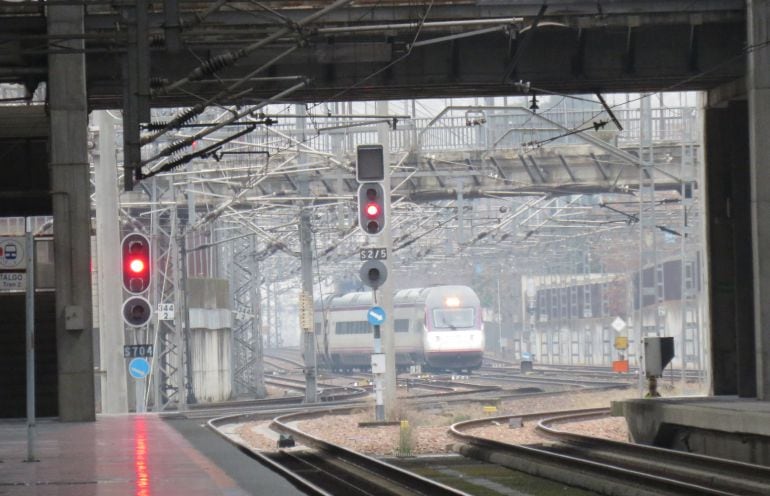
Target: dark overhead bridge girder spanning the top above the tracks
<point>366,51</point>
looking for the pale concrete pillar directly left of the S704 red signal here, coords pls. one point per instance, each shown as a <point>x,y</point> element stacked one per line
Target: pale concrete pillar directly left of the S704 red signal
<point>111,335</point>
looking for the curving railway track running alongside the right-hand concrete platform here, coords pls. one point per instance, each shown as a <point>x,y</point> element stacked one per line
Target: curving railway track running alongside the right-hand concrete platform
<point>613,468</point>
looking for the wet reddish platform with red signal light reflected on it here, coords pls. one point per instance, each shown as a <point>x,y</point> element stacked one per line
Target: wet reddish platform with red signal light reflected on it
<point>138,455</point>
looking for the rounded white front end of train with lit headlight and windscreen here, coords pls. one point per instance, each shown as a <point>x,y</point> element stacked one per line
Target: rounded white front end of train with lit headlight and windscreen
<point>454,334</point>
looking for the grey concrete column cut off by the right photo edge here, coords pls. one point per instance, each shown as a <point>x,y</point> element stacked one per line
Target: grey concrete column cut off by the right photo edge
<point>758,86</point>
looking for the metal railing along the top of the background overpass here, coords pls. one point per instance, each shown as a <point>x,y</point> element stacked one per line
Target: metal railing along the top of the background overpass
<point>479,129</point>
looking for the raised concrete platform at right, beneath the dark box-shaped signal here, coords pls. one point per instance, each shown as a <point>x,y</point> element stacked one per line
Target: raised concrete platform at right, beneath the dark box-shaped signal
<point>721,426</point>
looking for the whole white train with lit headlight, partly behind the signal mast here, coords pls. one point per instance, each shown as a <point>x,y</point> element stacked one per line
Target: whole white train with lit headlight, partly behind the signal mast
<point>437,327</point>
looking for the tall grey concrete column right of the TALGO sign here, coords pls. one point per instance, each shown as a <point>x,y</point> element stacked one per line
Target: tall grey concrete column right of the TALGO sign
<point>70,189</point>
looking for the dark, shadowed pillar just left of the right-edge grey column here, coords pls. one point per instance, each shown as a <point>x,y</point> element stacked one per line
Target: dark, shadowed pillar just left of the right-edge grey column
<point>731,304</point>
